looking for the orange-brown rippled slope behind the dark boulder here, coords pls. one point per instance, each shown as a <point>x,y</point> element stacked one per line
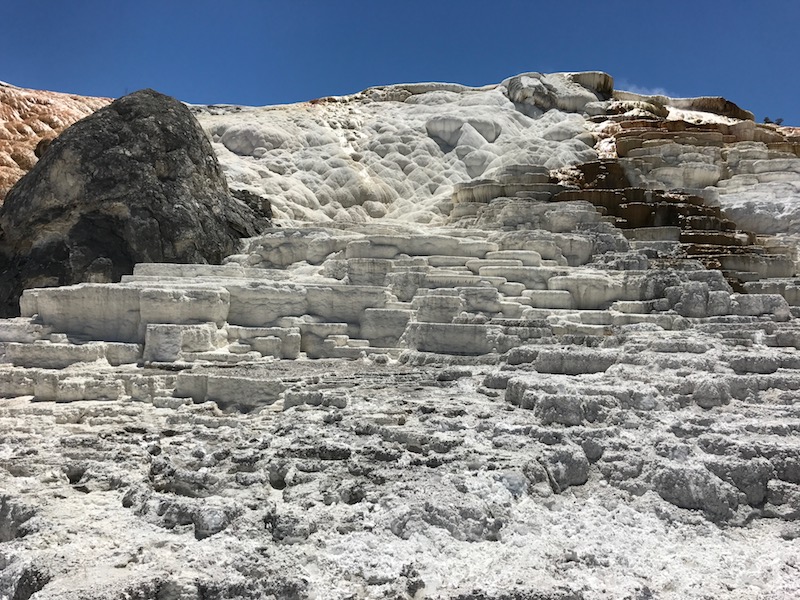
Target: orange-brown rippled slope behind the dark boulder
<point>29,116</point>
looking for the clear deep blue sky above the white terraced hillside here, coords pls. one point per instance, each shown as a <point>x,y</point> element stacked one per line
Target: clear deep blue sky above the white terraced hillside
<point>270,52</point>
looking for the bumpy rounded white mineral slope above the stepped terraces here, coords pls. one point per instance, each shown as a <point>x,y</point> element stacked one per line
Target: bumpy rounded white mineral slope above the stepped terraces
<point>397,151</point>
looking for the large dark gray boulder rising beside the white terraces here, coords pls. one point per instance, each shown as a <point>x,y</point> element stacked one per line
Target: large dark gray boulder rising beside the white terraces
<point>137,181</point>
